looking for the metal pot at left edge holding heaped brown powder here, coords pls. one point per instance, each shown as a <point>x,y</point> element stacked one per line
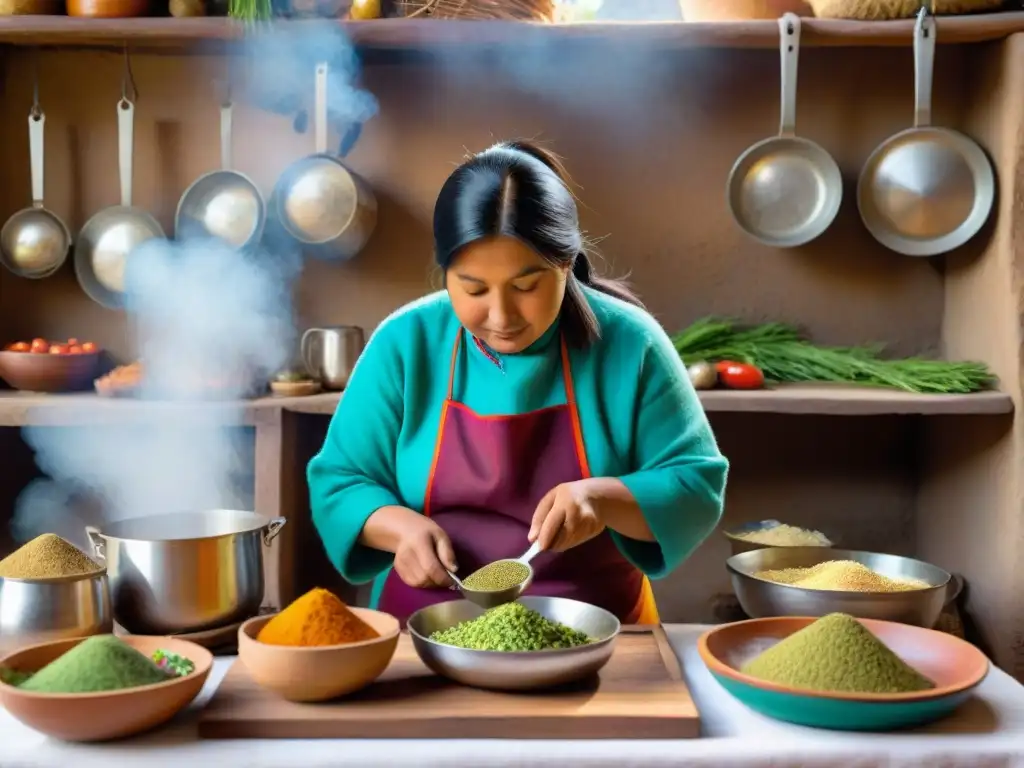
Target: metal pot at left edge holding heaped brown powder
<point>40,611</point>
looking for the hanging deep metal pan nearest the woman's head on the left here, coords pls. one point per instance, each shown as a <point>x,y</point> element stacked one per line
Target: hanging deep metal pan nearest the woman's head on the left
<point>319,202</point>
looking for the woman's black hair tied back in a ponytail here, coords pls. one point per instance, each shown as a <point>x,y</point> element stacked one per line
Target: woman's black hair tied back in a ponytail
<point>519,190</point>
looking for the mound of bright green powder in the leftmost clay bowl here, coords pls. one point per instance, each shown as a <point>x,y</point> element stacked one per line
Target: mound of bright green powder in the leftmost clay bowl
<point>98,664</point>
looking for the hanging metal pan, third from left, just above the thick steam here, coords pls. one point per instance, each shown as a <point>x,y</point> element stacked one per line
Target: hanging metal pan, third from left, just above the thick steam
<point>223,204</point>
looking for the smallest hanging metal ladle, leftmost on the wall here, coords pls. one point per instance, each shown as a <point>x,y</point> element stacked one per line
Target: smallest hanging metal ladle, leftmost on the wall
<point>34,243</point>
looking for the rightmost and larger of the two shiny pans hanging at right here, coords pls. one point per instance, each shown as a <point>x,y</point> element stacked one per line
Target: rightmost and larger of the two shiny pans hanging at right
<point>927,190</point>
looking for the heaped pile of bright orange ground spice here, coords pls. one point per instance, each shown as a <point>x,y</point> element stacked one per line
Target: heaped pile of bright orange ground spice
<point>318,618</point>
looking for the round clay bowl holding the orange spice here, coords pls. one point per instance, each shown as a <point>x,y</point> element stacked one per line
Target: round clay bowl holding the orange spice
<point>319,674</point>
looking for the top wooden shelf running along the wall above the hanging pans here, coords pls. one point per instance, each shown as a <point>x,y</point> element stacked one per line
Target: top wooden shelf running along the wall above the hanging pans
<point>415,34</point>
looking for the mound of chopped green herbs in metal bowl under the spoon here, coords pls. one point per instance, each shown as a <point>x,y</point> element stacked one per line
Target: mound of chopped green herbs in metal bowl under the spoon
<point>511,627</point>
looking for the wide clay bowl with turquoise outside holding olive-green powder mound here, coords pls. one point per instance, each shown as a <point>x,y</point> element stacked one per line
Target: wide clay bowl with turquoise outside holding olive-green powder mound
<point>956,667</point>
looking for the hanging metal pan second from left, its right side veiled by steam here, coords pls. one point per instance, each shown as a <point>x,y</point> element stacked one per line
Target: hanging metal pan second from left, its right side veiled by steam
<point>107,241</point>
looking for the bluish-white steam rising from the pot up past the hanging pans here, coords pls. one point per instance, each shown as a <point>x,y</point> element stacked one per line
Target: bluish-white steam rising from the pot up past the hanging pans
<point>200,314</point>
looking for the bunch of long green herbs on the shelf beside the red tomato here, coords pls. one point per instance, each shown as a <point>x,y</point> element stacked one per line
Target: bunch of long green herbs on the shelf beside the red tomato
<point>784,356</point>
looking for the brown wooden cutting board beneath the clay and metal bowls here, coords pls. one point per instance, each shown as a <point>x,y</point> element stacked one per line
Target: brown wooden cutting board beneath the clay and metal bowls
<point>641,694</point>
